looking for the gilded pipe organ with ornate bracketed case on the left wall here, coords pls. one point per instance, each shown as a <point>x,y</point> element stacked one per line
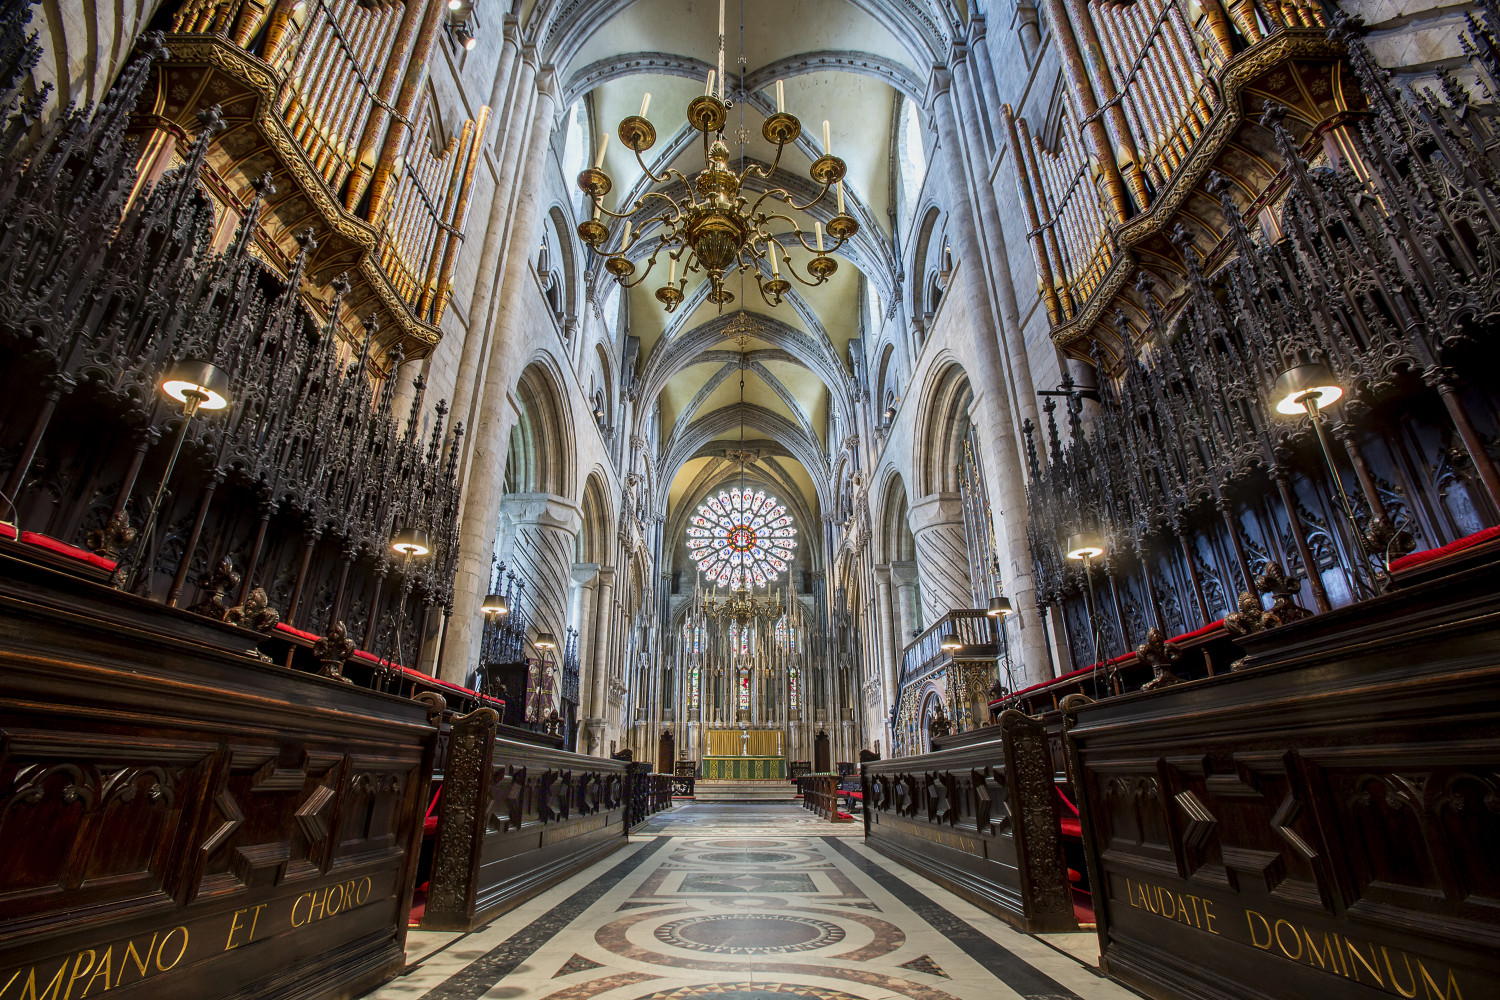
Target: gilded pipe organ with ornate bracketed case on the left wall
<point>329,101</point>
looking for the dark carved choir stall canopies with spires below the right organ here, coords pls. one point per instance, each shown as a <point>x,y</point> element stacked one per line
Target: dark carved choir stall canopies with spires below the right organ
<point>1382,269</point>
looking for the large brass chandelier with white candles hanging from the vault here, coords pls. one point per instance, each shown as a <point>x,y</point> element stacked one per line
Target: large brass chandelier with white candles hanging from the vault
<point>712,227</point>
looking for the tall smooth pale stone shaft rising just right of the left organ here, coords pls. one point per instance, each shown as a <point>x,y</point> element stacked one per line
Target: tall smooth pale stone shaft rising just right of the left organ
<point>493,422</point>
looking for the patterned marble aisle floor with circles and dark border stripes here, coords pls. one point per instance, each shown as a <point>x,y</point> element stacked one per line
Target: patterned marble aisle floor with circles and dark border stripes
<point>749,903</point>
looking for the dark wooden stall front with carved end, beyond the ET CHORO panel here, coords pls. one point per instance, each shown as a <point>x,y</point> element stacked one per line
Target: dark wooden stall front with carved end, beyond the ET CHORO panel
<point>515,819</point>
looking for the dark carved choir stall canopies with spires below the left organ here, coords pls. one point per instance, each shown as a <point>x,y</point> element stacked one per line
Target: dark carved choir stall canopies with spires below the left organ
<point>295,490</point>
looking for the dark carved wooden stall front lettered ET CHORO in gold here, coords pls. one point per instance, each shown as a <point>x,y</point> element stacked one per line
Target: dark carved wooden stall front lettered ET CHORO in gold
<point>181,818</point>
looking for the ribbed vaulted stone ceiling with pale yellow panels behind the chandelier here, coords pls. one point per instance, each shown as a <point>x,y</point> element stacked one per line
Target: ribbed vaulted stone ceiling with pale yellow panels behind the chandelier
<point>842,62</point>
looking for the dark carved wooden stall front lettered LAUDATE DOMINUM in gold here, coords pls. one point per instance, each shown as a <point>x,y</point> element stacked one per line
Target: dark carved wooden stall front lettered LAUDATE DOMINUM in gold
<point>1321,824</point>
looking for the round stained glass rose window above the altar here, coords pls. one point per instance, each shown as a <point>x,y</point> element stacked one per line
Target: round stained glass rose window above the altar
<point>742,539</point>
